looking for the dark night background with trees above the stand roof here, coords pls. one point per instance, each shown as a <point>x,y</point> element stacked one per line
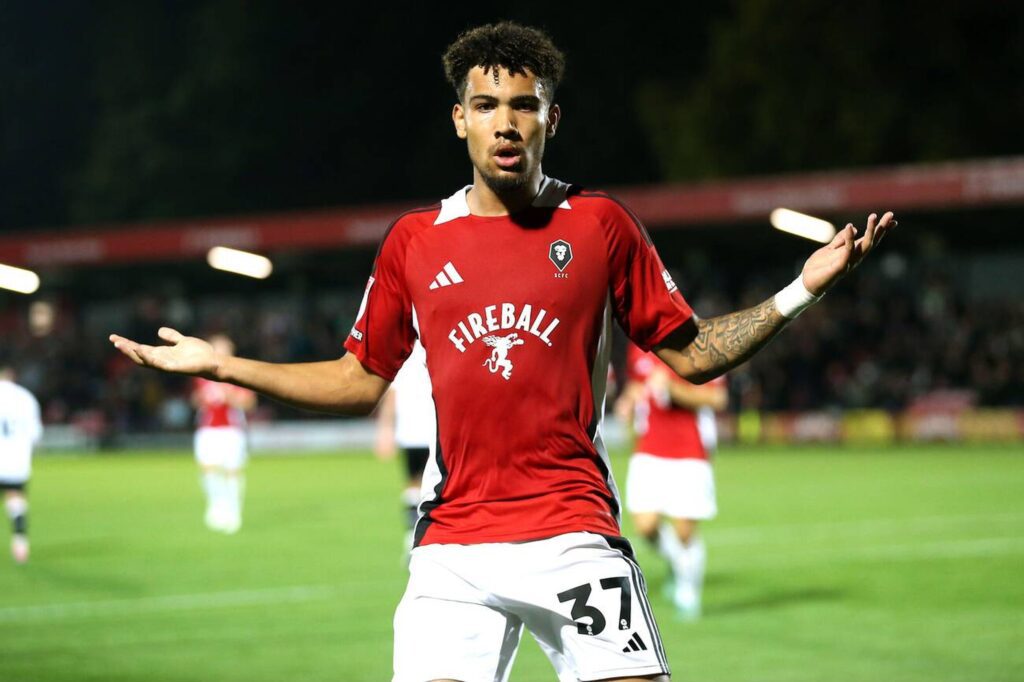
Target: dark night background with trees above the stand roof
<point>127,111</point>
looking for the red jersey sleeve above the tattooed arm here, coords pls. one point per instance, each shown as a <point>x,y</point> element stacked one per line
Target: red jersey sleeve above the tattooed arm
<point>647,303</point>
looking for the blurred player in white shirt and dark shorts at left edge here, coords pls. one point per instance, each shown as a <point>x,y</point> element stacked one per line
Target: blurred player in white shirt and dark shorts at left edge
<point>21,430</point>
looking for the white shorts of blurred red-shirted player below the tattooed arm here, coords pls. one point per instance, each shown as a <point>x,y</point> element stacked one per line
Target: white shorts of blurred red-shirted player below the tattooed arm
<point>679,489</point>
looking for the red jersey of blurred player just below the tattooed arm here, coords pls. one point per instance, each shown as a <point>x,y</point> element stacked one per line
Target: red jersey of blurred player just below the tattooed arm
<point>664,430</point>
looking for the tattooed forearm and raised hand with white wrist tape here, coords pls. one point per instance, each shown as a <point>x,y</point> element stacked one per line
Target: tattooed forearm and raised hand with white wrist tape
<point>703,350</point>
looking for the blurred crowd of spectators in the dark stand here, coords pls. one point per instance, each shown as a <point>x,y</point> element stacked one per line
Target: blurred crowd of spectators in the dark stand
<point>894,335</point>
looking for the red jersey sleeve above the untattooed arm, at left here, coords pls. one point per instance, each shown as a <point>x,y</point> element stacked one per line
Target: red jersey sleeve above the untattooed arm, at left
<point>383,334</point>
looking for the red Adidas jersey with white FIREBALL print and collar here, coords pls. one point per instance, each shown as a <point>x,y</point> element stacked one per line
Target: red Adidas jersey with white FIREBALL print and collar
<point>515,314</point>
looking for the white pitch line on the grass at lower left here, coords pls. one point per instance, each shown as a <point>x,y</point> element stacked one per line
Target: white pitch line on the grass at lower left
<point>175,603</point>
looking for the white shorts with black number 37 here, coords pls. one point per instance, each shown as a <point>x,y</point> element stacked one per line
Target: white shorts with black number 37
<point>583,600</point>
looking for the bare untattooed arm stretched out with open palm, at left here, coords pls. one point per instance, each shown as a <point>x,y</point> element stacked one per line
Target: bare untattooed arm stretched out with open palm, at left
<point>342,387</point>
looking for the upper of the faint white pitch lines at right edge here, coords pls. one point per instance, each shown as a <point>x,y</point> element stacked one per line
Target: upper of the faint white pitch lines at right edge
<point>771,533</point>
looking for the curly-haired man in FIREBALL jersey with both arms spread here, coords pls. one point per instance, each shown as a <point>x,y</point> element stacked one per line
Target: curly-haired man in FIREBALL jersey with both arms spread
<point>511,285</point>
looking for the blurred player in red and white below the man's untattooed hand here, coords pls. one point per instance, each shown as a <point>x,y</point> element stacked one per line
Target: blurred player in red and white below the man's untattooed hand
<point>221,445</point>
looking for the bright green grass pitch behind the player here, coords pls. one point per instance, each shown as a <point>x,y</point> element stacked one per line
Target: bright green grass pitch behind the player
<point>850,565</point>
